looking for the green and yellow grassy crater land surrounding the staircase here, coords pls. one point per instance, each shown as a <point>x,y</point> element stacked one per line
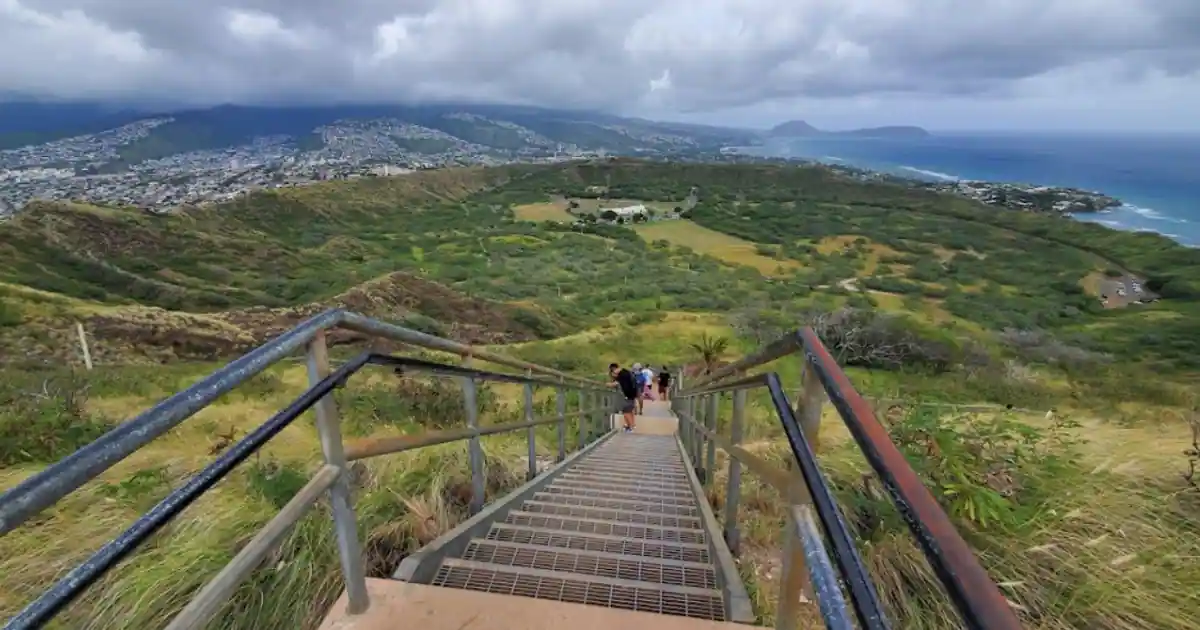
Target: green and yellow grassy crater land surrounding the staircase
<point>1087,518</point>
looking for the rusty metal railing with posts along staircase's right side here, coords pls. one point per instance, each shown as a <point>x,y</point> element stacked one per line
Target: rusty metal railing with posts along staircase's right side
<point>977,598</point>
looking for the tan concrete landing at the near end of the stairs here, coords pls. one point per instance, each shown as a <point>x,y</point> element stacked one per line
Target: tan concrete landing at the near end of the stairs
<point>409,605</point>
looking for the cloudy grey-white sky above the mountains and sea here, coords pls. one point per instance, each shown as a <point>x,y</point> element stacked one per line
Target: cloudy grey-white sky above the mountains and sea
<point>943,64</point>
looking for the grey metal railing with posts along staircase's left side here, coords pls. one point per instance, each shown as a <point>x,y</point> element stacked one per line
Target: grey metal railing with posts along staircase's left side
<point>45,489</point>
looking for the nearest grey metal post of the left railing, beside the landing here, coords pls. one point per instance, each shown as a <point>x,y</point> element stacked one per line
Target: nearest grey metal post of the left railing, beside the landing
<point>345,523</point>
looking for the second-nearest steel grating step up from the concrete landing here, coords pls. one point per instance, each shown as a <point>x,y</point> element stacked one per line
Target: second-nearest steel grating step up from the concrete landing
<point>633,568</point>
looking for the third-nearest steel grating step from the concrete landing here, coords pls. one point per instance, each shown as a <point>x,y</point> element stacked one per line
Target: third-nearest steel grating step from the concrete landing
<point>598,543</point>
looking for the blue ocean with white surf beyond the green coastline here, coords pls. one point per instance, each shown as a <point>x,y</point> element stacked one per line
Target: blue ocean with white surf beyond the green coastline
<point>1156,177</point>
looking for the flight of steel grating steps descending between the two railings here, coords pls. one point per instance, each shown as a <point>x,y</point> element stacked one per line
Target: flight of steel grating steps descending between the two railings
<point>621,527</point>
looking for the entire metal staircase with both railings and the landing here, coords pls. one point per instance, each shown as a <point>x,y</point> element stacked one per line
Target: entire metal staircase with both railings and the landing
<point>616,535</point>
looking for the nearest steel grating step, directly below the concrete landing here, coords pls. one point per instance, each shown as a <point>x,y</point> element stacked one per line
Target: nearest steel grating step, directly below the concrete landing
<point>596,591</point>
